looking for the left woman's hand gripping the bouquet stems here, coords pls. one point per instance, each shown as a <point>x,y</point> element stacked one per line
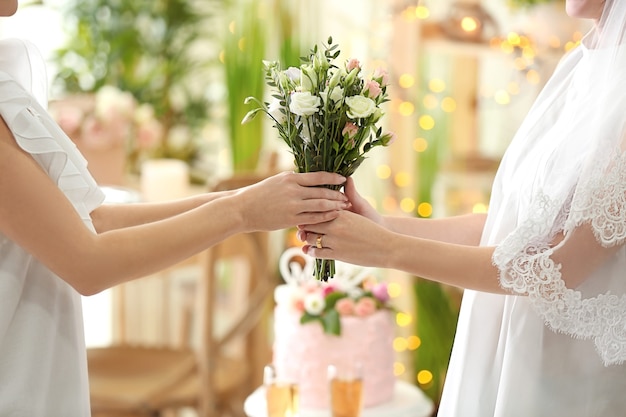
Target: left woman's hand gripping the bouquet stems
<point>288,199</point>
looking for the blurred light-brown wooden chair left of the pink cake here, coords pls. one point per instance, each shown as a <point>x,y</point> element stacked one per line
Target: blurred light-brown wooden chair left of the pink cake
<point>219,363</point>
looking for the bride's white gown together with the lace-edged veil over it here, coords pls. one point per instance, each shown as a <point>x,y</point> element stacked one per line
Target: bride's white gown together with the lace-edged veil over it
<point>556,352</point>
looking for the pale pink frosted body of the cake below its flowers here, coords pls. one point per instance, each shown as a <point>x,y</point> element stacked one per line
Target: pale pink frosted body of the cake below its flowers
<point>303,353</point>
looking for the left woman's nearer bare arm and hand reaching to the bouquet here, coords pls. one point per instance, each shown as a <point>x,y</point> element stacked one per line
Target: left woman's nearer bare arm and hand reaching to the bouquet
<point>35,214</point>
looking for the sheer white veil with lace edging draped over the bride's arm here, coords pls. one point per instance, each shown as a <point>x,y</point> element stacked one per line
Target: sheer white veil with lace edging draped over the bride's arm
<point>565,247</point>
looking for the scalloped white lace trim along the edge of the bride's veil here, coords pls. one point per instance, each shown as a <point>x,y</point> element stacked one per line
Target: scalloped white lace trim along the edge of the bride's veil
<point>527,268</point>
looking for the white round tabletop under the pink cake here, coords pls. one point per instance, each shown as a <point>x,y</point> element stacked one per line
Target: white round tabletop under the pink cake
<point>408,401</point>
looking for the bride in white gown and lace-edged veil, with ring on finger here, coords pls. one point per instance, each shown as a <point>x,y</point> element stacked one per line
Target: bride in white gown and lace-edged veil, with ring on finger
<point>542,327</point>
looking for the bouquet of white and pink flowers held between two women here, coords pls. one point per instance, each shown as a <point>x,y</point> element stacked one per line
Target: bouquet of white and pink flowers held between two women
<point>327,114</point>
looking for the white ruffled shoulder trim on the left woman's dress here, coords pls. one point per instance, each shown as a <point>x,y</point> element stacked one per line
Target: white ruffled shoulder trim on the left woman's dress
<point>36,133</point>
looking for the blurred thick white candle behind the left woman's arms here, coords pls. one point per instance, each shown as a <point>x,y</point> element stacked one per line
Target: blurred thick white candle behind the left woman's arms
<point>164,179</point>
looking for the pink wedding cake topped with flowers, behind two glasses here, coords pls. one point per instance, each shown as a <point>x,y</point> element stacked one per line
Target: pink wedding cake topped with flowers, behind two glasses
<point>316,324</point>
